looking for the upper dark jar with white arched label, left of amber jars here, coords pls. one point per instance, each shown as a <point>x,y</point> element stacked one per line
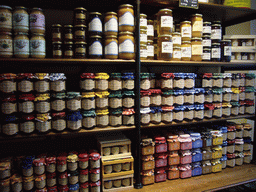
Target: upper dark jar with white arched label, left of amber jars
<point>95,24</point>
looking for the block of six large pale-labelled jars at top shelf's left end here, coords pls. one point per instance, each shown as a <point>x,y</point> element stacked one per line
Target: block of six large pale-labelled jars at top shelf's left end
<point>21,23</point>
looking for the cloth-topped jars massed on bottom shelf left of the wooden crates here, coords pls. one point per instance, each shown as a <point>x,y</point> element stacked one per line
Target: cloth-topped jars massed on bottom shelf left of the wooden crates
<point>65,172</point>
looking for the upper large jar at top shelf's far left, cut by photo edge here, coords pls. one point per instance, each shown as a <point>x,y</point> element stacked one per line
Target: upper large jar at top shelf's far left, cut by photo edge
<point>6,21</point>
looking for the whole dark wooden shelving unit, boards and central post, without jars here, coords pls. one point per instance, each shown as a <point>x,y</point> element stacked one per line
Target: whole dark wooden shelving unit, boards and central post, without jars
<point>228,16</point>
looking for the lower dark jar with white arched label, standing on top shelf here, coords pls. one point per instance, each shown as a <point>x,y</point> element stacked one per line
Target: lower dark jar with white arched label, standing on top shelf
<point>95,47</point>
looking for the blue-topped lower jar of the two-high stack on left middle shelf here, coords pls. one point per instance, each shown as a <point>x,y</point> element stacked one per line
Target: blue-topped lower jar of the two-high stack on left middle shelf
<point>74,121</point>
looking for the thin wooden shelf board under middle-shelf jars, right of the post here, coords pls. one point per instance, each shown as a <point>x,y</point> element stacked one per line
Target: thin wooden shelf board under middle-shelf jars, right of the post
<point>195,121</point>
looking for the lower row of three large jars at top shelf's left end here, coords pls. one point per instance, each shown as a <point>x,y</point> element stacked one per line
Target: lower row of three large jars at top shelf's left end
<point>22,46</point>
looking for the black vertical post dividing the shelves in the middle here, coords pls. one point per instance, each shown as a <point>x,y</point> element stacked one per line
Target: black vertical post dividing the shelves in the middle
<point>137,167</point>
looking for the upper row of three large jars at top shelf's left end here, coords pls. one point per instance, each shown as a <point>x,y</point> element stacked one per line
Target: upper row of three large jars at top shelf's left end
<point>19,20</point>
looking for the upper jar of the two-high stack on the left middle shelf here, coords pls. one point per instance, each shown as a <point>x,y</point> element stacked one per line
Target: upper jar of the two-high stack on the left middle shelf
<point>73,101</point>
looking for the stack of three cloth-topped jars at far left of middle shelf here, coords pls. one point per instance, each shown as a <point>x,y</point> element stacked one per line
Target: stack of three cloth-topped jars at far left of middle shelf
<point>9,108</point>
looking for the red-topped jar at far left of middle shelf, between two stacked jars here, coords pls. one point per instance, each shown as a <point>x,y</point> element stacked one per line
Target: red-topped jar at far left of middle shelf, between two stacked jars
<point>9,105</point>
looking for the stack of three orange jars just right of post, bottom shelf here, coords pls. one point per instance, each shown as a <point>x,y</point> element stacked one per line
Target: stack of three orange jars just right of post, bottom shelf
<point>147,161</point>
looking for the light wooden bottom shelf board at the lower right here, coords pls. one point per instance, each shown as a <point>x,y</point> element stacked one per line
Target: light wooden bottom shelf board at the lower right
<point>212,182</point>
